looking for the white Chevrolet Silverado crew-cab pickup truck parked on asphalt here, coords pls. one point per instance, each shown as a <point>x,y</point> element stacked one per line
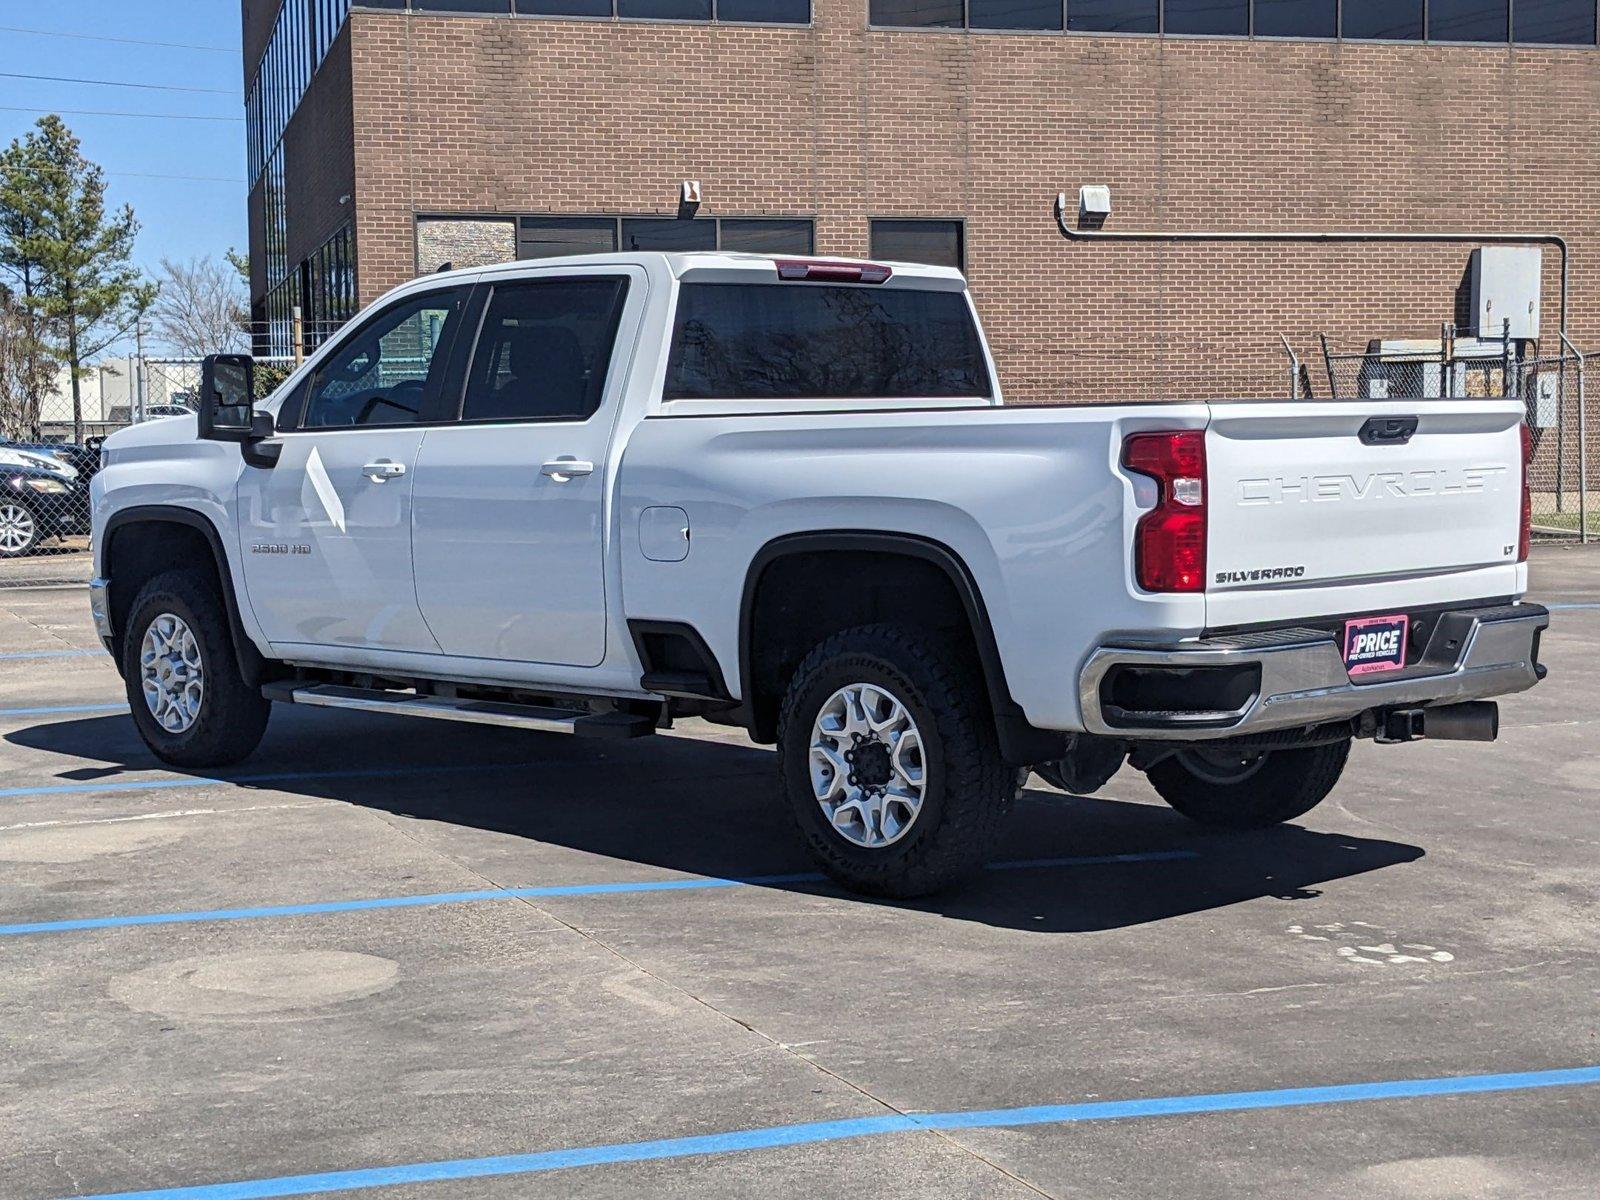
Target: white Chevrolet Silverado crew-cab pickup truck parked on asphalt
<point>599,494</point>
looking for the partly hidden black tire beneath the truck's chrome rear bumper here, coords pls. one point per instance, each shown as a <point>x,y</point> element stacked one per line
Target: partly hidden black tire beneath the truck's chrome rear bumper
<point>1279,786</point>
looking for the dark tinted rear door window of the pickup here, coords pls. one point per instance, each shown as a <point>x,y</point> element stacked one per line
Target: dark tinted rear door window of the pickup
<point>543,350</point>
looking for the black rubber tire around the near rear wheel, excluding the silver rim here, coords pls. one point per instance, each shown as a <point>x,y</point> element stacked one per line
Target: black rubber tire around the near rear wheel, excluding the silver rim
<point>967,786</point>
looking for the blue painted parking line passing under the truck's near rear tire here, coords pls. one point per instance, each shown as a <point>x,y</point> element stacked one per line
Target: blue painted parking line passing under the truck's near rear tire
<point>494,895</point>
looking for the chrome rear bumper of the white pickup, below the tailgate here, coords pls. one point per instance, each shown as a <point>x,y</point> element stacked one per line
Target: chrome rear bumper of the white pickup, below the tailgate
<point>1295,678</point>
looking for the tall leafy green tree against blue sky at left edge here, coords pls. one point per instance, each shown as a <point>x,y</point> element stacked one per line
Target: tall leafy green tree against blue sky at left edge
<point>76,260</point>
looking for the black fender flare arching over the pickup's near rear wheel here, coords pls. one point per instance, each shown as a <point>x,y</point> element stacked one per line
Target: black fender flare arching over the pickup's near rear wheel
<point>1020,742</point>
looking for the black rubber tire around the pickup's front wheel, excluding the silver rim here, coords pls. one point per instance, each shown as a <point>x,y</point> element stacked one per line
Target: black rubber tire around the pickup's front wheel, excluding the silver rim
<point>233,716</point>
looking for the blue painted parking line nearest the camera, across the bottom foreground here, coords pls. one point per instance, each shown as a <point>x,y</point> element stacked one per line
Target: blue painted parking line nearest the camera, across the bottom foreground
<point>743,1142</point>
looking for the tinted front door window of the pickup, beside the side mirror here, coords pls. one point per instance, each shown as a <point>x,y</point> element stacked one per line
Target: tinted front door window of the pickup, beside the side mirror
<point>388,367</point>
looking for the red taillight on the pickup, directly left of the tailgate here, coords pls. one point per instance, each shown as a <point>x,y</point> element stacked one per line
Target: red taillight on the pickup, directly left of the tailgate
<point>1169,545</point>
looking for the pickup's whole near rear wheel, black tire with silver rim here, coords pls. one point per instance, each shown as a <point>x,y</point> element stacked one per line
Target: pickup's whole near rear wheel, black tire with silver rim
<point>890,766</point>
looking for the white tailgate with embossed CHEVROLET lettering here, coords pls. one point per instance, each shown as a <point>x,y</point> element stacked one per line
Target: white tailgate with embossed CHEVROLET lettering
<point>1302,498</point>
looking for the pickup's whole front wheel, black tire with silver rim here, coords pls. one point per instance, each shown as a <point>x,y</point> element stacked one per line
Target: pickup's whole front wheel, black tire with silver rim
<point>188,697</point>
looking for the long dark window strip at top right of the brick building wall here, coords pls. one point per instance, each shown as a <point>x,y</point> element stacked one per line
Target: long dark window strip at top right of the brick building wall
<point>1569,23</point>
